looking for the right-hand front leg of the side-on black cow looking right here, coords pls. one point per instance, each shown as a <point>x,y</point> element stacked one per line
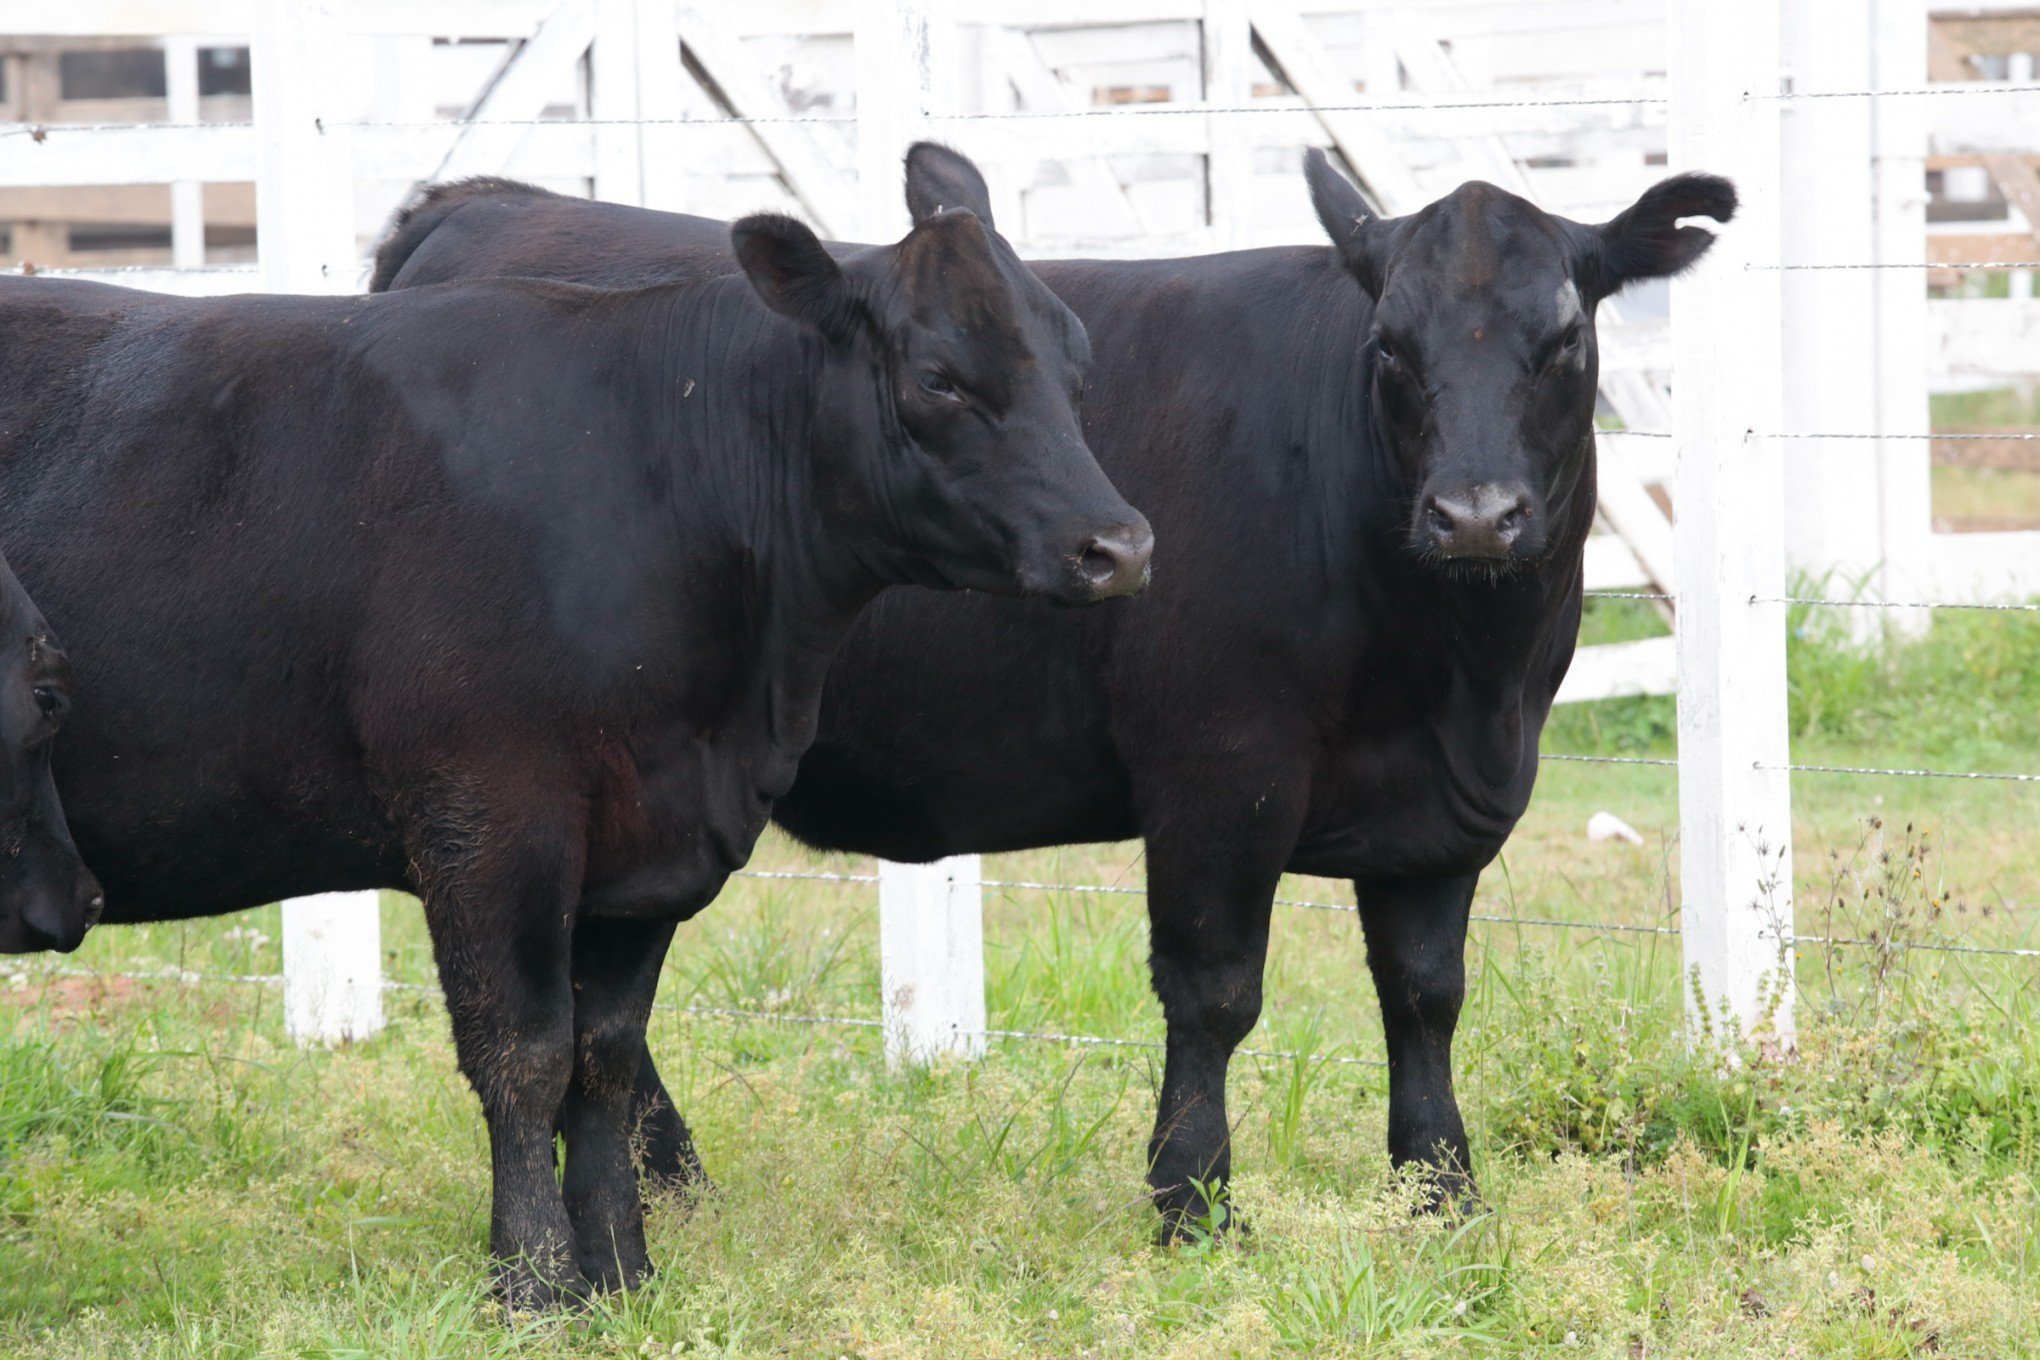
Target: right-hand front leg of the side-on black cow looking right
<point>615,980</point>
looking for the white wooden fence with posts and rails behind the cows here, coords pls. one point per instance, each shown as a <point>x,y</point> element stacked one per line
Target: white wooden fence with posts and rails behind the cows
<point>1806,331</point>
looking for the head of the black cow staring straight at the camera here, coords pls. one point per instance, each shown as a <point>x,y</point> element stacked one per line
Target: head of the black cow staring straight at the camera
<point>1484,354</point>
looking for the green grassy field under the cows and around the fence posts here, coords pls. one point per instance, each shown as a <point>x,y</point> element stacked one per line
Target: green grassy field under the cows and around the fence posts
<point>178,1182</point>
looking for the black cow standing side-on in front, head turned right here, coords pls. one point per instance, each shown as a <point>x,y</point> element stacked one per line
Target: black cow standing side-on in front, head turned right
<point>521,596</point>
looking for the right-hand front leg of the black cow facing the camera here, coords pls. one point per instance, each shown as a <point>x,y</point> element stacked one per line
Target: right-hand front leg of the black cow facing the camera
<point>1417,949</point>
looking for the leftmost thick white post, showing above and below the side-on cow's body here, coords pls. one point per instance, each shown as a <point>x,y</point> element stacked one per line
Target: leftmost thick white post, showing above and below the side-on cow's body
<point>305,233</point>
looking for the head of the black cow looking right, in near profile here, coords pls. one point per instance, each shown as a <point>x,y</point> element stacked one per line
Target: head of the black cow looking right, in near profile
<point>952,382</point>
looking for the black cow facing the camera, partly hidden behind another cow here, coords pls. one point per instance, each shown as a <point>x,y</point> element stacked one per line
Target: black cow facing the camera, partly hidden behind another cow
<point>1372,470</point>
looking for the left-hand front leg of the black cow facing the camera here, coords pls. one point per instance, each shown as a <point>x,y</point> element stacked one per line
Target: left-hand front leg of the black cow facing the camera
<point>1213,876</point>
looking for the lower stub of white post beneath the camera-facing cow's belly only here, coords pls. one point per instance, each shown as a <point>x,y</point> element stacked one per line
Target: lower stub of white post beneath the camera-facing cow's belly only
<point>933,959</point>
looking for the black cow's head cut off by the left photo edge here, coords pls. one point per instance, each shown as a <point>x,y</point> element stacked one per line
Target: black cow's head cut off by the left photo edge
<point>48,898</point>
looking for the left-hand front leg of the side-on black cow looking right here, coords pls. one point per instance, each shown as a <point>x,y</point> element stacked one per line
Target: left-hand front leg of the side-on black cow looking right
<point>501,929</point>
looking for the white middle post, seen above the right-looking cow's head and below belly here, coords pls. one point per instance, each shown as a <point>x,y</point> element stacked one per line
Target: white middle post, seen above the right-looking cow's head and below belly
<point>931,917</point>
